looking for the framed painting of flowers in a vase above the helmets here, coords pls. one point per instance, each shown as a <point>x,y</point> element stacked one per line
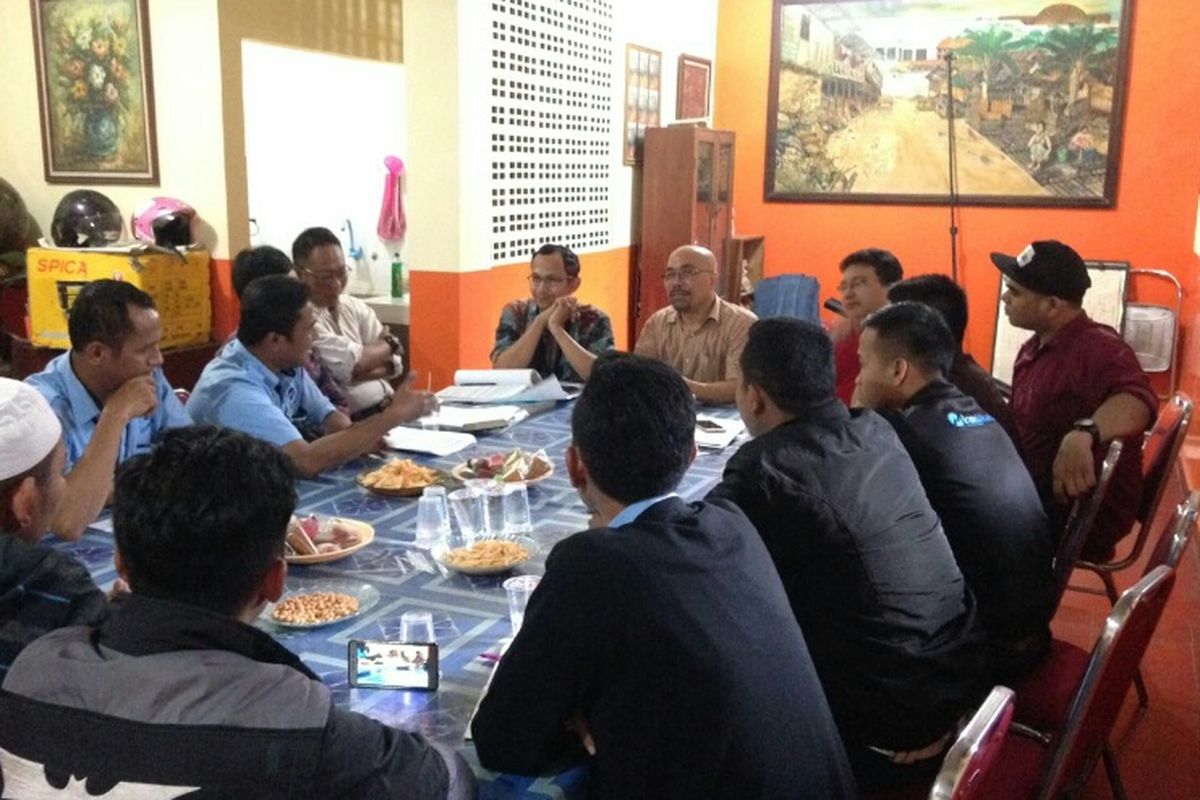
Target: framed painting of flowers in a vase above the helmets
<point>95,92</point>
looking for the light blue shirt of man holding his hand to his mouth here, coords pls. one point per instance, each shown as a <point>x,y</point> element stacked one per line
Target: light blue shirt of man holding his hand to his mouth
<point>79,411</point>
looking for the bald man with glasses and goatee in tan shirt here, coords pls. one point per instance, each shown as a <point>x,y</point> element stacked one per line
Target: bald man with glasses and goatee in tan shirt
<point>700,334</point>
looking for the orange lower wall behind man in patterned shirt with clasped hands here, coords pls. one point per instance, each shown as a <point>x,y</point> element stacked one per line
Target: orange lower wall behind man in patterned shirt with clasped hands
<point>454,315</point>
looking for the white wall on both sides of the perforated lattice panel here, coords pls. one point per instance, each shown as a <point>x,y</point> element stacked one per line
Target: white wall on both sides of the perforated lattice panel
<point>447,52</point>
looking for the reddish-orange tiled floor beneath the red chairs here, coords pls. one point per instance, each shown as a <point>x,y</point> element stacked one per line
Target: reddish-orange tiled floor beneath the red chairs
<point>1159,750</point>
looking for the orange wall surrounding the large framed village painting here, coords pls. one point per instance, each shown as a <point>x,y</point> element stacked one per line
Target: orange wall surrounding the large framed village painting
<point>1151,226</point>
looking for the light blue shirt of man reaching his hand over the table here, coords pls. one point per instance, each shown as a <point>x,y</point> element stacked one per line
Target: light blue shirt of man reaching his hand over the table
<point>239,392</point>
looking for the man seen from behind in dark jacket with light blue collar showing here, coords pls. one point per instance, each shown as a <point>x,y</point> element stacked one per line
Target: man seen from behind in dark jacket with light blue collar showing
<point>661,639</point>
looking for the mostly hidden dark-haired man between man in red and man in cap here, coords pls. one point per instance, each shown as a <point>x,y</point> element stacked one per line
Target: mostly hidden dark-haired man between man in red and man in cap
<point>943,294</point>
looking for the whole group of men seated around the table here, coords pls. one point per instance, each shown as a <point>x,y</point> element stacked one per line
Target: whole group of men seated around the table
<point>825,619</point>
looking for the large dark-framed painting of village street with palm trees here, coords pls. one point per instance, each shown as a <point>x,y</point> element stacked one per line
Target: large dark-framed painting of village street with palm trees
<point>866,97</point>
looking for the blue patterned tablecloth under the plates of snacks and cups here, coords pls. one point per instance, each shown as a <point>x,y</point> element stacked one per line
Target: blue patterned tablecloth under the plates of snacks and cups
<point>470,613</point>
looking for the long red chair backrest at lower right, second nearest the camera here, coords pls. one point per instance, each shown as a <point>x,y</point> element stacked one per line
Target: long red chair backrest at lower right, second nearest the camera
<point>1115,659</point>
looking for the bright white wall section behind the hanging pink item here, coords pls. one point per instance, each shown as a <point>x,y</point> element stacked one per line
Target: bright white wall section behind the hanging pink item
<point>317,130</point>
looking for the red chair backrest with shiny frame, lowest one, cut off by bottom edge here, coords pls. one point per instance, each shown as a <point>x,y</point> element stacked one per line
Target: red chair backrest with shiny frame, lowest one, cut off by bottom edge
<point>967,767</point>
